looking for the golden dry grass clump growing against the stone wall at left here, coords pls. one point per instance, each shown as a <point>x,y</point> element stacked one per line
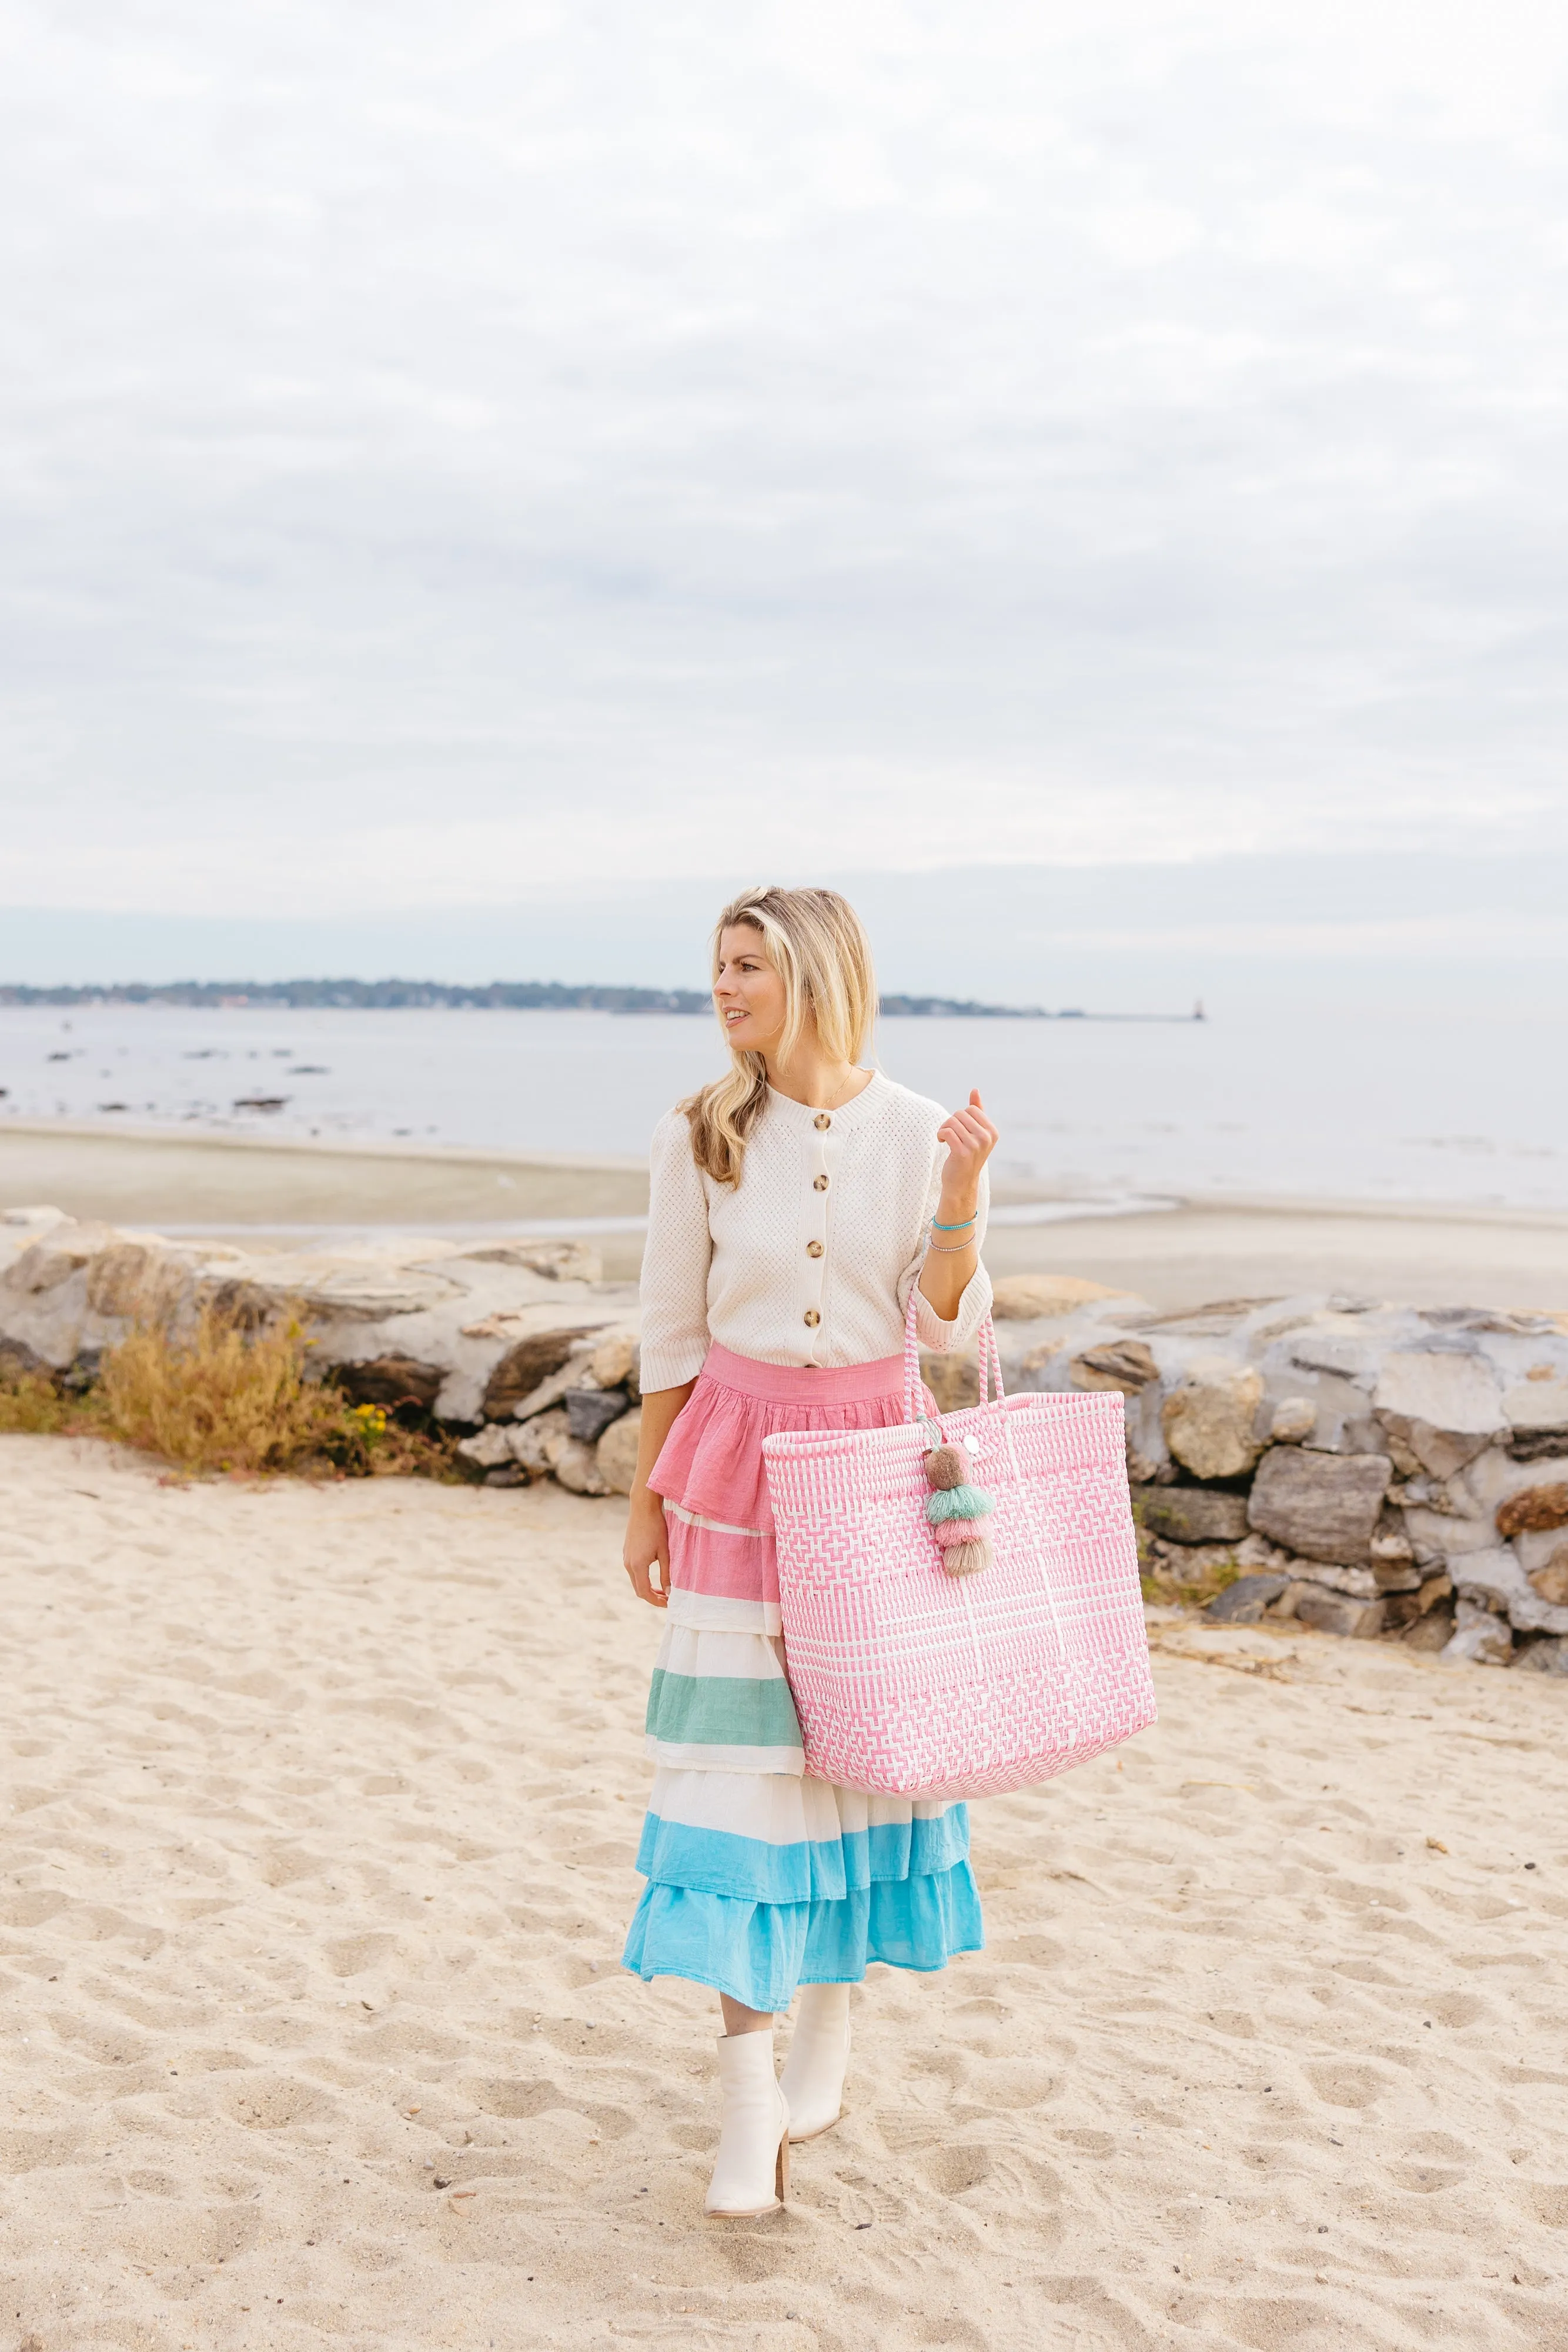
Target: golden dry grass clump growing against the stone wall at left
<point>232,1401</point>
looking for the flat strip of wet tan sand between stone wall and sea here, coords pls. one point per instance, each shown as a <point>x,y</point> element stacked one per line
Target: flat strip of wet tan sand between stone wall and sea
<point>1177,1259</point>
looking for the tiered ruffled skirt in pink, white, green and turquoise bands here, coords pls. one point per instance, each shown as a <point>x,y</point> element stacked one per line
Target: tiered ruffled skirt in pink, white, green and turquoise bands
<point>758,1876</point>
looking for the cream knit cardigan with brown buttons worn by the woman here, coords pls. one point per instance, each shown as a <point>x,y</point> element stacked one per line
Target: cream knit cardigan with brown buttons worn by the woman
<point>812,1257</point>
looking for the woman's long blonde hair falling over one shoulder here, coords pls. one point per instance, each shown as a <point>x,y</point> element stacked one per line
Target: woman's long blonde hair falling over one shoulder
<point>819,949</point>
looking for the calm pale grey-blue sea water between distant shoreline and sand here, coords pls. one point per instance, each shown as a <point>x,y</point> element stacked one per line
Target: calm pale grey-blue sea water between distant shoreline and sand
<point>1289,1104</point>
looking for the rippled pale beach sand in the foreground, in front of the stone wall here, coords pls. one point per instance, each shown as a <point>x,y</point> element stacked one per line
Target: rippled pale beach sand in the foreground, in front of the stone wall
<point>311,1897</point>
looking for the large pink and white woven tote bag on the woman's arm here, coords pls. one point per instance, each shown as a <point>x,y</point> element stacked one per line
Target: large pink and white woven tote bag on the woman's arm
<point>911,1681</point>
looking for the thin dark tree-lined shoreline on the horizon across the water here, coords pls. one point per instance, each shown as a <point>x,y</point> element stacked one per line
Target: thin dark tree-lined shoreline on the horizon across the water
<point>500,996</point>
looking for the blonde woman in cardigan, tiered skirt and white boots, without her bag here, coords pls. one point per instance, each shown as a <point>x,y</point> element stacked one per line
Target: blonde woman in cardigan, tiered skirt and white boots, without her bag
<point>796,1205</point>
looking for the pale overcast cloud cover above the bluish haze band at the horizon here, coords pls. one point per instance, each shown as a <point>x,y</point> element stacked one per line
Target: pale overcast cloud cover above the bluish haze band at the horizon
<point>464,457</point>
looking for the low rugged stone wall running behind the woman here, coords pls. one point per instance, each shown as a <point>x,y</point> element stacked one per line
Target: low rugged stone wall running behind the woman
<point>1367,1469</point>
